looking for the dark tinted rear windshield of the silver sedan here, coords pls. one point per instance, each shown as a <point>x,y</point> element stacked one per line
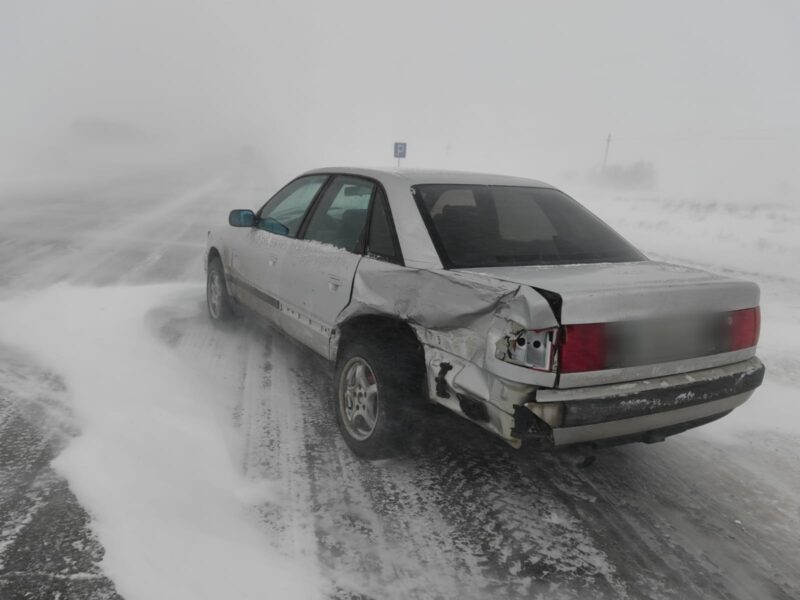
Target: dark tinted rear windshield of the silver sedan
<point>482,226</point>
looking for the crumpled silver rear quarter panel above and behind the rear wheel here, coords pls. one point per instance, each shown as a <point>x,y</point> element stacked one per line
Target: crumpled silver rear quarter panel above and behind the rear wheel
<point>459,318</point>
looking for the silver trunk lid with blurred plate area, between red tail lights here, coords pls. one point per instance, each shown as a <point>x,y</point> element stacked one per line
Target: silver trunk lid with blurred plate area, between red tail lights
<point>659,318</point>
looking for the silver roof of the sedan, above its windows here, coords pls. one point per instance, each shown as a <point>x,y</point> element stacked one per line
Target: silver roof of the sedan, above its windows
<point>424,176</point>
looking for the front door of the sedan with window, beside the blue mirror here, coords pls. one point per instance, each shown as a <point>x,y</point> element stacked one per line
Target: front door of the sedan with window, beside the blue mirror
<point>257,257</point>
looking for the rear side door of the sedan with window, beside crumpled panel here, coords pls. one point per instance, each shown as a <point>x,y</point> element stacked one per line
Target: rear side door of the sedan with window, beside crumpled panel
<point>316,276</point>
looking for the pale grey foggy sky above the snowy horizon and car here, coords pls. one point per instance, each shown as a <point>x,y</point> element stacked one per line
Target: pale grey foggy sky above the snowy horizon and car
<point>707,91</point>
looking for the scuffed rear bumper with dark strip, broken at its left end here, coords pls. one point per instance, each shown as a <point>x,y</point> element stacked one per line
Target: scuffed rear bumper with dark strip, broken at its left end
<point>646,410</point>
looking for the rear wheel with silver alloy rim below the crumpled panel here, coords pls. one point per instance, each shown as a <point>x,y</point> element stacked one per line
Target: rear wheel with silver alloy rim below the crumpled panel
<point>374,392</point>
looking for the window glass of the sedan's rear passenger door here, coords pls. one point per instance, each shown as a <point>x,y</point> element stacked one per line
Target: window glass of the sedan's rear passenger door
<point>341,216</point>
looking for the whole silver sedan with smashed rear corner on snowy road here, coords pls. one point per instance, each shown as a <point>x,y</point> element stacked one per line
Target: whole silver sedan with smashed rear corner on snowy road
<point>500,298</point>
